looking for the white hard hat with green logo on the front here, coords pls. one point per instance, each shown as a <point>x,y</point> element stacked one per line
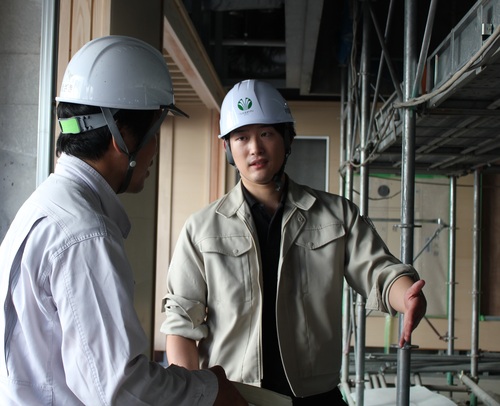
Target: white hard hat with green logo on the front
<point>253,102</point>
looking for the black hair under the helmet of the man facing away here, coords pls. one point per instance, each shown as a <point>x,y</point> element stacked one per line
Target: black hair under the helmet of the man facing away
<point>93,144</point>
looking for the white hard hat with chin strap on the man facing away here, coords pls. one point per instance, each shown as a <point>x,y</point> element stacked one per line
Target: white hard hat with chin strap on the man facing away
<point>117,72</point>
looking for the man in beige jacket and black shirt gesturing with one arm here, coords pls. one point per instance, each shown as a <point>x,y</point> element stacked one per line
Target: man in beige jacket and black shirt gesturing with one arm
<point>255,282</point>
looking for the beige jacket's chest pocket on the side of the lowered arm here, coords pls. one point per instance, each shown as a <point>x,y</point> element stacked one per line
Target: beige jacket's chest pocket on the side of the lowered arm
<point>228,265</point>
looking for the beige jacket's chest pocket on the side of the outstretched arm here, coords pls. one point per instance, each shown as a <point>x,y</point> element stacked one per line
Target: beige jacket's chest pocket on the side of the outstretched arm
<point>319,257</point>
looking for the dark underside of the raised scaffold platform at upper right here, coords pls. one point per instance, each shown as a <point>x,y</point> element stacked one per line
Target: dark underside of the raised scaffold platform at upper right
<point>456,134</point>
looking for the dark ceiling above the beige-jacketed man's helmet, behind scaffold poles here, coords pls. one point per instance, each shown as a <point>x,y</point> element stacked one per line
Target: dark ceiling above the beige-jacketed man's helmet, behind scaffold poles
<point>300,45</point>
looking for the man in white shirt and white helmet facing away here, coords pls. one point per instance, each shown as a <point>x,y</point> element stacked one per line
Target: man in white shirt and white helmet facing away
<point>70,334</point>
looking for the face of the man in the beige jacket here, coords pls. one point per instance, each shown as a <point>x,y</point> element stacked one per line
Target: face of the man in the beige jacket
<point>258,151</point>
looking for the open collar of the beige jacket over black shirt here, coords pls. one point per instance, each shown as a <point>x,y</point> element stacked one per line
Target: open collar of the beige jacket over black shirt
<point>298,197</point>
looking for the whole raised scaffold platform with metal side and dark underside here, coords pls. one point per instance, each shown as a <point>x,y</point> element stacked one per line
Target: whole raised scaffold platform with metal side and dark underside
<point>458,117</point>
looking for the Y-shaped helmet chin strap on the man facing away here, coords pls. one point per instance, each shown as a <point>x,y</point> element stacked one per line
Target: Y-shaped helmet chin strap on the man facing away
<point>115,132</point>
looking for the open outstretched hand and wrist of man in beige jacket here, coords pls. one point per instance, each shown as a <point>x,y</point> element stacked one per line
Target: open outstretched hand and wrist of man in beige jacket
<point>406,297</point>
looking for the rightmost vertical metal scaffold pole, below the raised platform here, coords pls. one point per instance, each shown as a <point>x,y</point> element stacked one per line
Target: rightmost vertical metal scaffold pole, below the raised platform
<point>476,254</point>
